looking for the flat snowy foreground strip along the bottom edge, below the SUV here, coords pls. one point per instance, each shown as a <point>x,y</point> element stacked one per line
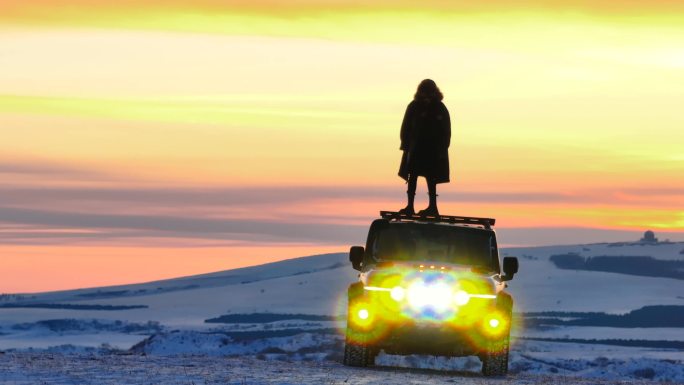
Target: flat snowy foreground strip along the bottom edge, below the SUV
<point>49,368</point>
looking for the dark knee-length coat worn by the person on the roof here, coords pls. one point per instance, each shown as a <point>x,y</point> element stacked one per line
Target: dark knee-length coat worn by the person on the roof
<point>425,139</point>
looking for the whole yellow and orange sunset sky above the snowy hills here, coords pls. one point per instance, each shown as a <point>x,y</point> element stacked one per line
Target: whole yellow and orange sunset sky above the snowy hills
<point>142,140</point>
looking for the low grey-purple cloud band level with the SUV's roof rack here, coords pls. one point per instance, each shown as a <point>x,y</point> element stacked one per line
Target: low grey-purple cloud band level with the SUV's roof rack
<point>222,232</point>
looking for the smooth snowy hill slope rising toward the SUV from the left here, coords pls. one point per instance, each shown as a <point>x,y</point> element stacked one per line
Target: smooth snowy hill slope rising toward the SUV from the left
<point>304,285</point>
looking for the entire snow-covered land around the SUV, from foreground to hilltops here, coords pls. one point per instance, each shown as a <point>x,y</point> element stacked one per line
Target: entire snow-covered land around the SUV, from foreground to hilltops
<point>157,332</point>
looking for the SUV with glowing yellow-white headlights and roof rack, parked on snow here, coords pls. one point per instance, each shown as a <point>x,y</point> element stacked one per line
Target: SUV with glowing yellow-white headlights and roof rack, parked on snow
<point>430,285</point>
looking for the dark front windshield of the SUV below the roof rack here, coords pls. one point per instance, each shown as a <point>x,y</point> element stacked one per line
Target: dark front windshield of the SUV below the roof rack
<point>435,243</point>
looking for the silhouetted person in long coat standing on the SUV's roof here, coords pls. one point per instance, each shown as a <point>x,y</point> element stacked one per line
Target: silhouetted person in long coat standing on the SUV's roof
<point>425,137</point>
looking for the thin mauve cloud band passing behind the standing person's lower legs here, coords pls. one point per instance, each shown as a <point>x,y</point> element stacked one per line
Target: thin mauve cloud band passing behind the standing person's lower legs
<point>227,197</point>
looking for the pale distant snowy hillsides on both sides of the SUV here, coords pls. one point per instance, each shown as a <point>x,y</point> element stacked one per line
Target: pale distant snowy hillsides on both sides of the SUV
<point>317,284</point>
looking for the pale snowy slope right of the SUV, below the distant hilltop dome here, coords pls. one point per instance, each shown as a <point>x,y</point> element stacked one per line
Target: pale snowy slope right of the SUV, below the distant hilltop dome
<point>540,286</point>
